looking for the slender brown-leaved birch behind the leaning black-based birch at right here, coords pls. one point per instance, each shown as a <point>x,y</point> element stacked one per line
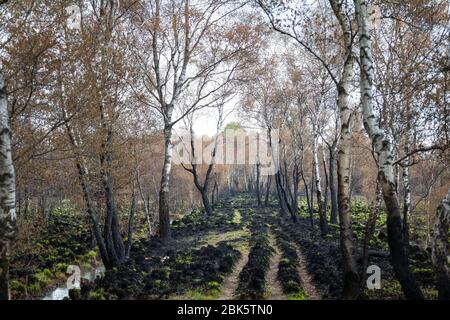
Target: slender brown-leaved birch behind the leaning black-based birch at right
<point>408,48</point>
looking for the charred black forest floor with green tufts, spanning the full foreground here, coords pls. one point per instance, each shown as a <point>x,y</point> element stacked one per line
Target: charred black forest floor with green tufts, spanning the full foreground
<point>241,251</point>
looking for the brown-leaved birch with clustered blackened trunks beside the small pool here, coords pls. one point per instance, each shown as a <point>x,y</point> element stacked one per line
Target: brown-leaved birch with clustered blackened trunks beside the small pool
<point>90,104</point>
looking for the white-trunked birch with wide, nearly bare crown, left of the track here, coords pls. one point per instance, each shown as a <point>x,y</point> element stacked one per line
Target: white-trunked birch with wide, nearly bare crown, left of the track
<point>182,53</point>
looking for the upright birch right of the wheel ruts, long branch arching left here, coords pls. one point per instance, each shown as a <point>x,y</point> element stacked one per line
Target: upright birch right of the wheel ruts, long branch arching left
<point>342,79</point>
